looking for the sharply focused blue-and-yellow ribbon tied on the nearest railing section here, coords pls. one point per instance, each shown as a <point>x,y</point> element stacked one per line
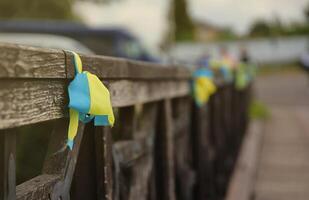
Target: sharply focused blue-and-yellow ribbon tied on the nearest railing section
<point>89,99</point>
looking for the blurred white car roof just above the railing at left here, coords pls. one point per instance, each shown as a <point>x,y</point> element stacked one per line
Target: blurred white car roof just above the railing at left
<point>45,40</point>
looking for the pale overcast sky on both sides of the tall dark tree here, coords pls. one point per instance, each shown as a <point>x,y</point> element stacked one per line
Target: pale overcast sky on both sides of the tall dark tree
<point>147,18</point>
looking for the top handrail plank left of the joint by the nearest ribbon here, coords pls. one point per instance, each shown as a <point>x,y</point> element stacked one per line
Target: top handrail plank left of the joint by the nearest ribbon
<point>19,61</point>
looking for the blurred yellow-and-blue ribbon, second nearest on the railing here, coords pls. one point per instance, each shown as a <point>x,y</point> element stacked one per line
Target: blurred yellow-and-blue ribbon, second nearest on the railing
<point>203,86</point>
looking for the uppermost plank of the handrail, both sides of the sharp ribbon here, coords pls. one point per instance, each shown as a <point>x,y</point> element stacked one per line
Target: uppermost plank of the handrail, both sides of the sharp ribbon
<point>19,61</point>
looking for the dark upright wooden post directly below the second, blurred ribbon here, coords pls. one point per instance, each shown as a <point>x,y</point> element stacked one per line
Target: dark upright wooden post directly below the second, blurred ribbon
<point>203,152</point>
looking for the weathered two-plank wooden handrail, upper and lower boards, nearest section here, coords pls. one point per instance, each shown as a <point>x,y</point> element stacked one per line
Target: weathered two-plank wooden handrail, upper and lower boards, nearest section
<point>33,82</point>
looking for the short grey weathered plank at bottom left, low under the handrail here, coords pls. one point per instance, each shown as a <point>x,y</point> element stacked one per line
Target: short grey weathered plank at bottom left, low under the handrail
<point>37,188</point>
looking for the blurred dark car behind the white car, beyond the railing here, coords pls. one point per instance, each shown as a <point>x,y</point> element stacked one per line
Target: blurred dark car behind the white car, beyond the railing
<point>111,41</point>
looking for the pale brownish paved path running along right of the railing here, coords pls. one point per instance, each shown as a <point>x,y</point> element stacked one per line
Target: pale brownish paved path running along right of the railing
<point>283,172</point>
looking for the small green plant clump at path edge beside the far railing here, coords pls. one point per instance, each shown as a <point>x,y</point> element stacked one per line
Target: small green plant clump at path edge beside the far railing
<point>258,110</point>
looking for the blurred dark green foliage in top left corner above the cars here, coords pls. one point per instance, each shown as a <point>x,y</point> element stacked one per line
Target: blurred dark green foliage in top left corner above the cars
<point>36,9</point>
